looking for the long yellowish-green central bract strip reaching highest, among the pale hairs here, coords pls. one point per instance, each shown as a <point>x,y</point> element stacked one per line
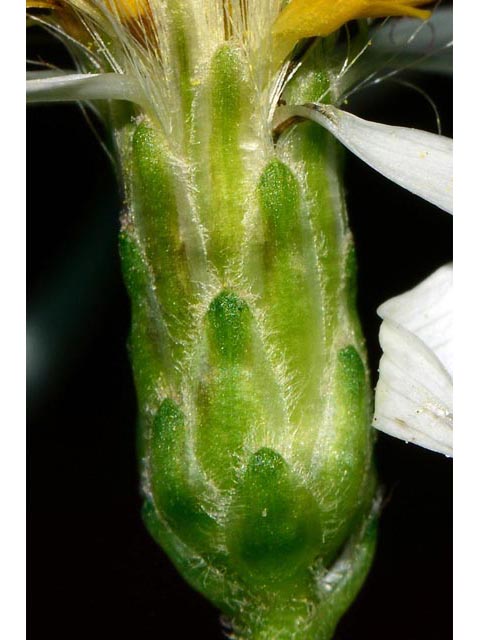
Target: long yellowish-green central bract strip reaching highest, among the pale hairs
<point>220,169</point>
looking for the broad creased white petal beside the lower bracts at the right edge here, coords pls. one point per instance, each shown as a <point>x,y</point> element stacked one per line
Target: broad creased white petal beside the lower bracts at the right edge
<point>413,398</point>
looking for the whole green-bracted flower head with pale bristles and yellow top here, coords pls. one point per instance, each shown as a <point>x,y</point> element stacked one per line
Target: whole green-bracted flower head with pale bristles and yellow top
<point>248,356</point>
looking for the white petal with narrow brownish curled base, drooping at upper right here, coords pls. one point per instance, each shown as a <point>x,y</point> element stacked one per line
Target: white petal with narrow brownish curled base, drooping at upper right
<point>416,160</point>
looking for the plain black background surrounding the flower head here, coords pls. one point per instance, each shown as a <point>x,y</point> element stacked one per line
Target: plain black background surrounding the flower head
<point>93,570</point>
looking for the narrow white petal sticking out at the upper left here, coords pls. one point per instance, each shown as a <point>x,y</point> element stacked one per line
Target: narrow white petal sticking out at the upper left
<point>60,87</point>
